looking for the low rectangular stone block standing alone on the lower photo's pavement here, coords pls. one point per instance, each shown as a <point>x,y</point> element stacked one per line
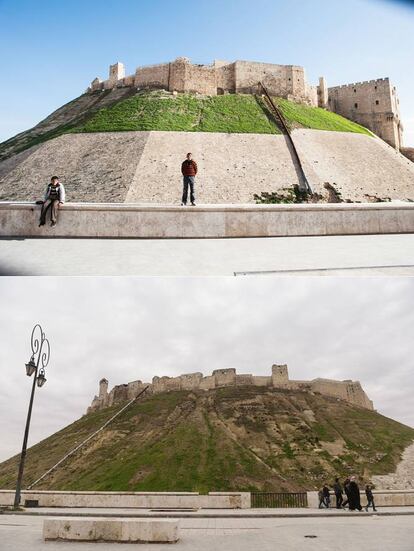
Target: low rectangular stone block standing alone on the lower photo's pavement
<point>113,530</point>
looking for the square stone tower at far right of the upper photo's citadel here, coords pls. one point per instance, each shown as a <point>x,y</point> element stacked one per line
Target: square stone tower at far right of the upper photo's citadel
<point>374,104</point>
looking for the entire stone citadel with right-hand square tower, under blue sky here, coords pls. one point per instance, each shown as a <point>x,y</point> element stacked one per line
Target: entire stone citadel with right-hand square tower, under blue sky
<point>373,104</point>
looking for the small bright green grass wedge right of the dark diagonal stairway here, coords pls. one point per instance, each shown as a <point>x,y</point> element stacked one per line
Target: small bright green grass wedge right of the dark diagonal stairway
<point>299,115</point>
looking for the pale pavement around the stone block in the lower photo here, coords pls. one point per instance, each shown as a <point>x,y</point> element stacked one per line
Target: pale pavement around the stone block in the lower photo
<point>244,533</point>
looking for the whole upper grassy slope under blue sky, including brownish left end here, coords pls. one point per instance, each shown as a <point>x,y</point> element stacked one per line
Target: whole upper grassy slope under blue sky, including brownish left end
<point>126,109</point>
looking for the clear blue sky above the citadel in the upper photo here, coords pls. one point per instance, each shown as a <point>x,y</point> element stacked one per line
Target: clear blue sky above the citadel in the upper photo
<point>52,49</point>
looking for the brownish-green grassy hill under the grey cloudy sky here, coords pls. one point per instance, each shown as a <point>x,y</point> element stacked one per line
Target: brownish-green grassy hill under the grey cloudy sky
<point>240,438</point>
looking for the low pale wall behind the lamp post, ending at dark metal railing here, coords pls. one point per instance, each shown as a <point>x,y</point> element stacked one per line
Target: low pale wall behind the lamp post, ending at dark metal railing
<point>144,500</point>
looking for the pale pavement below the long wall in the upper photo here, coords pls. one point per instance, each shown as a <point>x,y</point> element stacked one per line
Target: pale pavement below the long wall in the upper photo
<point>334,255</point>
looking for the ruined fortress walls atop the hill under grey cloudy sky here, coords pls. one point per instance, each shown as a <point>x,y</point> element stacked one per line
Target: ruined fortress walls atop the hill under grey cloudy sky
<point>350,391</point>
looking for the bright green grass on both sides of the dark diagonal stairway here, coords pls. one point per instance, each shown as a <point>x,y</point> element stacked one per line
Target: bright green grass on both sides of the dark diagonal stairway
<point>230,113</point>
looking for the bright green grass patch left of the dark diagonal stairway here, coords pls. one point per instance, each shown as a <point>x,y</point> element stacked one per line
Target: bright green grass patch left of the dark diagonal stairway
<point>185,112</point>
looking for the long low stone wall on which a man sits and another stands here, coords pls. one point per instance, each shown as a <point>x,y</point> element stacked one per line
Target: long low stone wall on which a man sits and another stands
<point>126,220</point>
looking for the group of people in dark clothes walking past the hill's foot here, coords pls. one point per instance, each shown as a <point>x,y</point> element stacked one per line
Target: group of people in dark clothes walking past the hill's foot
<point>352,495</point>
